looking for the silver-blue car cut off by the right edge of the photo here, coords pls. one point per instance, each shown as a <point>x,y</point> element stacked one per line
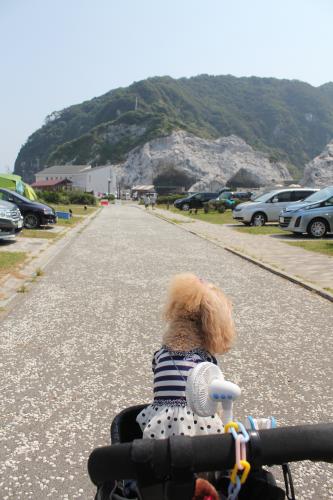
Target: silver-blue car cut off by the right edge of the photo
<point>314,216</point>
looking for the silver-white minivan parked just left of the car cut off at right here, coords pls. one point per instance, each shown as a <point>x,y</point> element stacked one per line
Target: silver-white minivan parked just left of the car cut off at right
<point>267,207</point>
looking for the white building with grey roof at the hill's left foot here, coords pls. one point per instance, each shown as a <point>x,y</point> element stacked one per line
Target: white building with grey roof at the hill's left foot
<point>99,180</point>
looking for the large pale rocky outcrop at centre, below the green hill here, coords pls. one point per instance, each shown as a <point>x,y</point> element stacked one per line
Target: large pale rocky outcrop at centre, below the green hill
<point>206,164</point>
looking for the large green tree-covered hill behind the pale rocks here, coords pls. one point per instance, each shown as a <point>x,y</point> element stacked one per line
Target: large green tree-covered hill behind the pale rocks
<point>289,119</point>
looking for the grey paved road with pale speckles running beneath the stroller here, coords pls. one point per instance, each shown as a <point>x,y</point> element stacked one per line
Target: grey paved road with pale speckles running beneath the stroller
<point>78,349</point>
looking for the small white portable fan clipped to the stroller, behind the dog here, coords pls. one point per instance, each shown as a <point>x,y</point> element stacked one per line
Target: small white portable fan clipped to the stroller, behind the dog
<point>206,388</point>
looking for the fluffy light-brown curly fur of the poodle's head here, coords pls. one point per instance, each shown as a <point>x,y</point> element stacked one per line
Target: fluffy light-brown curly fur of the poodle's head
<point>199,315</point>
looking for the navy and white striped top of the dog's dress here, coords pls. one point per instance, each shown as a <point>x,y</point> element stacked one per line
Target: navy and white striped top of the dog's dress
<point>171,369</point>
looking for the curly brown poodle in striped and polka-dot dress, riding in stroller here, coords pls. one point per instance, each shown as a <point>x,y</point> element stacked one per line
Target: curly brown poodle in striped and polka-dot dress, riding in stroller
<point>200,325</point>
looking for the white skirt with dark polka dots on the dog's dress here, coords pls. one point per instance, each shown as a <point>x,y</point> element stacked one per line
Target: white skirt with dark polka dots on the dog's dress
<point>160,422</point>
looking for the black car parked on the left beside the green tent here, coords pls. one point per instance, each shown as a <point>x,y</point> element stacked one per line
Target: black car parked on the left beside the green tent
<point>35,214</point>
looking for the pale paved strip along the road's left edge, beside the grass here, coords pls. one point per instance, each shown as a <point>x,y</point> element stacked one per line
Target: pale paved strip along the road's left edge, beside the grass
<point>42,261</point>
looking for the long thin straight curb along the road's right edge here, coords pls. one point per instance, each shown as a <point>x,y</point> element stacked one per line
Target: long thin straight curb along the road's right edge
<point>267,267</point>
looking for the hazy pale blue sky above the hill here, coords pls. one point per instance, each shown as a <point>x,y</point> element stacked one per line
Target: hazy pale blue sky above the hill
<point>54,53</point>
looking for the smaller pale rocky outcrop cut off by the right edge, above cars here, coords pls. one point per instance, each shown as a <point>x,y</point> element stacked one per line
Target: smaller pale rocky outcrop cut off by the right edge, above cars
<point>319,171</point>
